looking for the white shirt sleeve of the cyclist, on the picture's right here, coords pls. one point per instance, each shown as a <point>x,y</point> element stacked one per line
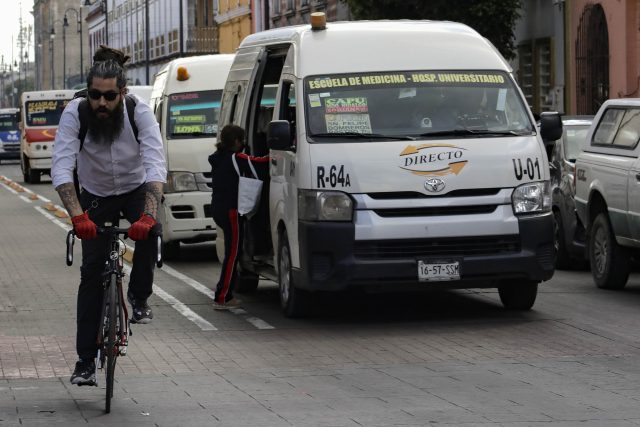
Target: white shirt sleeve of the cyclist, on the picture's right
<point>151,148</point>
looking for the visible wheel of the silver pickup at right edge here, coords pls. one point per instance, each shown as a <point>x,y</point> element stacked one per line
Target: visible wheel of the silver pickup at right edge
<point>609,261</point>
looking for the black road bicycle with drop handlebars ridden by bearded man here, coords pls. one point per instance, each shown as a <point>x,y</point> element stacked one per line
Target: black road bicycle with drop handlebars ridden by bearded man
<point>115,328</point>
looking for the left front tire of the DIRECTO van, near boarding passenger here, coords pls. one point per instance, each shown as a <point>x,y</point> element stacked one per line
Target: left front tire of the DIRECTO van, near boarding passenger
<point>293,301</point>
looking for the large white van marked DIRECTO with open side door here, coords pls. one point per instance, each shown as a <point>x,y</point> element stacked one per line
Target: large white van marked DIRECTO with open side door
<point>403,156</point>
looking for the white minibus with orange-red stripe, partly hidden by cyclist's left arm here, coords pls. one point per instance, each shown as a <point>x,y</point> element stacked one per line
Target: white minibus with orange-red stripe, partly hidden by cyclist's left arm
<point>40,113</point>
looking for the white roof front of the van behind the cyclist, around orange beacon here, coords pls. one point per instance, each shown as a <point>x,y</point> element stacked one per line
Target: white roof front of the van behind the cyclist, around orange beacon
<point>206,72</point>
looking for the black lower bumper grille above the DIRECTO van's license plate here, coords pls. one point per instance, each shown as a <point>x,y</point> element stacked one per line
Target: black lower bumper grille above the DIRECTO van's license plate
<point>467,246</point>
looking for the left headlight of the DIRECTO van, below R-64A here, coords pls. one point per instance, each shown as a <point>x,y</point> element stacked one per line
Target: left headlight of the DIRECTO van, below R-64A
<point>320,205</point>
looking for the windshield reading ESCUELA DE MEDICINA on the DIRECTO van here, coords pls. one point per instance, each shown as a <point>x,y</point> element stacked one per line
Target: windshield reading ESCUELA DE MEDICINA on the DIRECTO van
<point>414,104</point>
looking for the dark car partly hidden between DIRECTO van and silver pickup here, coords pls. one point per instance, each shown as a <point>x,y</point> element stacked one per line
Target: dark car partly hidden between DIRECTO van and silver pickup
<point>569,239</point>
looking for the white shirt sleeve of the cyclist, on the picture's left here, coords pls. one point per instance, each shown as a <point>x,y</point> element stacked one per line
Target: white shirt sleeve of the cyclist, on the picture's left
<point>66,146</point>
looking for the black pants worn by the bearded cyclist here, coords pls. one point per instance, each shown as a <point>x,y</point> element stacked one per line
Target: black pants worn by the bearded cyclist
<point>94,256</point>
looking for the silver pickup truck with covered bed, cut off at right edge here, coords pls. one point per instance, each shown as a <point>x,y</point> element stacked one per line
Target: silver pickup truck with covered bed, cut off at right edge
<point>607,182</point>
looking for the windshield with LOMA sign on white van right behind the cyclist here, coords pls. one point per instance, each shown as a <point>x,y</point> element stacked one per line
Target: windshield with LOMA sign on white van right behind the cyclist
<point>193,114</point>
